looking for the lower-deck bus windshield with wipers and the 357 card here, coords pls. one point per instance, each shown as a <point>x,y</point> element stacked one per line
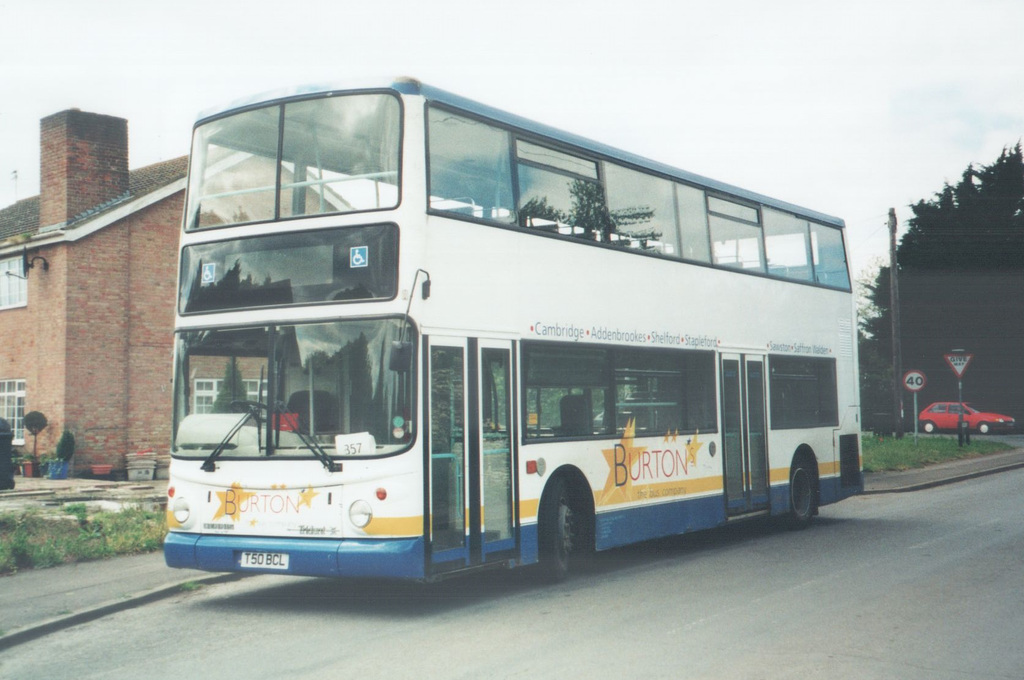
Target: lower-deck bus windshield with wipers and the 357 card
<point>333,386</point>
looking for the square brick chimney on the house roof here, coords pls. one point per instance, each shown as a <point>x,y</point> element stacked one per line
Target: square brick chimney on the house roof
<point>84,163</point>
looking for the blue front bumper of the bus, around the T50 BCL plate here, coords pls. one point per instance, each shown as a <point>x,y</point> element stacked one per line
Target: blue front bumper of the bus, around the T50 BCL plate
<point>397,559</point>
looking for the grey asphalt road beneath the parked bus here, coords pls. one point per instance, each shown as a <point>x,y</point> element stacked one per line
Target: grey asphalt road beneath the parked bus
<point>918,585</point>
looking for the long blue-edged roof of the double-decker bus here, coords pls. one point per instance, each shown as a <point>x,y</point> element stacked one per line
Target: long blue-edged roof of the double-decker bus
<point>412,87</point>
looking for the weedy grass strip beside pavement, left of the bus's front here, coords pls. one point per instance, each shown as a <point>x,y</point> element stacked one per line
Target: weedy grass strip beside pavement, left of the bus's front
<point>36,539</point>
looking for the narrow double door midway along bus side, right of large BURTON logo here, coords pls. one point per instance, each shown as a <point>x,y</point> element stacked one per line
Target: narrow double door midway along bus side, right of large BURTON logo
<point>745,450</point>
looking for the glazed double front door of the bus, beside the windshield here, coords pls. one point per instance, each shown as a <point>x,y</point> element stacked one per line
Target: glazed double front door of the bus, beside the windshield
<point>472,453</point>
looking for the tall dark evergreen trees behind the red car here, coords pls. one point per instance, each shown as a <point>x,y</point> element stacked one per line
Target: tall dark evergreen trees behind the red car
<point>962,285</point>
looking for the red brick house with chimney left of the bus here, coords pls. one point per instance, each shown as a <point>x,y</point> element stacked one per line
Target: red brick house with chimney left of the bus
<point>87,330</point>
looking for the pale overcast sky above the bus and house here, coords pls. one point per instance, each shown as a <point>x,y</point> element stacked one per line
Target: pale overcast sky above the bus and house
<point>847,108</point>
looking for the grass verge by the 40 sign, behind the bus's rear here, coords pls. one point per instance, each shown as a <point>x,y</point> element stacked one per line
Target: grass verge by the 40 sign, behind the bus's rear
<point>892,454</point>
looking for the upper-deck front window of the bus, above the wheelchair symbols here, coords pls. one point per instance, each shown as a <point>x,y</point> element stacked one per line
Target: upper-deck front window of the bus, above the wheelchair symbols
<point>327,155</point>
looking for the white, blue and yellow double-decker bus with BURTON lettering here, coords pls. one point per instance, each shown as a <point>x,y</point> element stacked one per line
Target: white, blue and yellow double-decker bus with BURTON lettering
<point>417,335</point>
